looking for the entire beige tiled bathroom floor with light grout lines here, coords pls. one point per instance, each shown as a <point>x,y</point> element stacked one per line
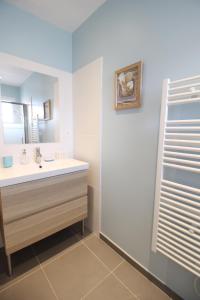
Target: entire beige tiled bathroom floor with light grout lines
<point>66,266</point>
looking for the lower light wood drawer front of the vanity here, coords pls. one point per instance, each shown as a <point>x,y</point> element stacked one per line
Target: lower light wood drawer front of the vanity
<point>24,232</point>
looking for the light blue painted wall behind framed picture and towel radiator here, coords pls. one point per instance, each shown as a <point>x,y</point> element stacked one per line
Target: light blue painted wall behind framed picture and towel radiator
<point>164,35</point>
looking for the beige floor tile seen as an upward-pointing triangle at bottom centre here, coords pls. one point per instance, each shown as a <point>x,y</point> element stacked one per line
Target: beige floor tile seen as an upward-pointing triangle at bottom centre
<point>110,289</point>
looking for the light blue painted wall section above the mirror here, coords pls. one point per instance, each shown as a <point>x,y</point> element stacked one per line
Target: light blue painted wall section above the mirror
<point>26,36</point>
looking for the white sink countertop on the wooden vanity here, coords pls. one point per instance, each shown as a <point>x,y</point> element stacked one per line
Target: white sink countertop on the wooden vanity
<point>23,173</point>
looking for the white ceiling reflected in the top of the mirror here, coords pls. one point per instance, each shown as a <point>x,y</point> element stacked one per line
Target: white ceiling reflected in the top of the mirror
<point>13,76</point>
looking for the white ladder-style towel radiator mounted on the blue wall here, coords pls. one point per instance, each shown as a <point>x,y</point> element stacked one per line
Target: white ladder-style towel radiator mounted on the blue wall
<point>176,228</point>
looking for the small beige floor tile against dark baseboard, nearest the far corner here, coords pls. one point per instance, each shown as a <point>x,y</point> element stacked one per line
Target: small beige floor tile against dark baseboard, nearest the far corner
<point>110,258</point>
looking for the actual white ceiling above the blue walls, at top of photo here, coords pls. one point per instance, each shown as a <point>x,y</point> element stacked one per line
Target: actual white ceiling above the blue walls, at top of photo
<point>66,14</point>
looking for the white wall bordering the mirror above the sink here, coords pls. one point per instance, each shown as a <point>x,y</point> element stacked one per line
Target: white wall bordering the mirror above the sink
<point>65,112</point>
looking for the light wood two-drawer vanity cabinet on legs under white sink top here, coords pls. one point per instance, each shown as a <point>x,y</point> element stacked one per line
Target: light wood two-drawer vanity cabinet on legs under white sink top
<point>33,210</point>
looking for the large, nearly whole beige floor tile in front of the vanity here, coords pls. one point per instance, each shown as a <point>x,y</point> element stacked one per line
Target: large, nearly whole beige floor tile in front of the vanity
<point>75,273</point>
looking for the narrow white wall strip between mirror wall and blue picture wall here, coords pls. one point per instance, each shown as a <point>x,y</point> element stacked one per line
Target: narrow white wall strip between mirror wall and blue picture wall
<point>87,96</point>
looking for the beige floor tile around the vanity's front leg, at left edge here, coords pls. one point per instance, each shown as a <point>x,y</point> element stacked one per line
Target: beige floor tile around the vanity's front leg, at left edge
<point>23,263</point>
